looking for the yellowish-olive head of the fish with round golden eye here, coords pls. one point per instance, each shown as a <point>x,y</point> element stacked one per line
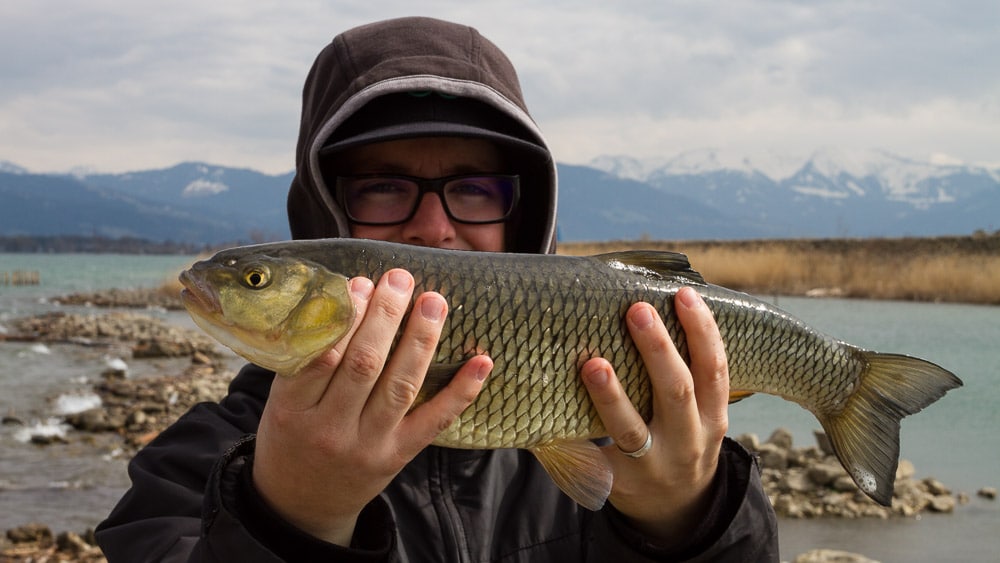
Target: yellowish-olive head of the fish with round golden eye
<point>279,312</point>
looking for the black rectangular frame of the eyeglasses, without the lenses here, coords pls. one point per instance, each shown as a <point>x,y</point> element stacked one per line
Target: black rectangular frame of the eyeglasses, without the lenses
<point>424,187</point>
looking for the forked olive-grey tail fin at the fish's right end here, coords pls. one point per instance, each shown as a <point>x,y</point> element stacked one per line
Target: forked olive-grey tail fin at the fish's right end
<point>865,433</point>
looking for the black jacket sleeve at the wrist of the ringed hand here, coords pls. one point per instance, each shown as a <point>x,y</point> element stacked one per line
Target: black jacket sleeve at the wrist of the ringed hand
<point>740,526</point>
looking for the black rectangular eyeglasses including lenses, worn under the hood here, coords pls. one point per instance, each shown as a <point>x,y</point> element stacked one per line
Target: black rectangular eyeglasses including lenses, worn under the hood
<point>380,199</point>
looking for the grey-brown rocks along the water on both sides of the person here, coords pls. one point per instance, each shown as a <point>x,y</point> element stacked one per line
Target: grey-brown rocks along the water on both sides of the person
<point>802,482</point>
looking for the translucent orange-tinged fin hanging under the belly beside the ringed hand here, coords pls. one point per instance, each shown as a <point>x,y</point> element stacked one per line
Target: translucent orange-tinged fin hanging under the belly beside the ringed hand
<point>579,468</point>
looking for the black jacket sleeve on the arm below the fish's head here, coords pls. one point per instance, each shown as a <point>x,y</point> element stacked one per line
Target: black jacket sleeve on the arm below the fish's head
<point>189,498</point>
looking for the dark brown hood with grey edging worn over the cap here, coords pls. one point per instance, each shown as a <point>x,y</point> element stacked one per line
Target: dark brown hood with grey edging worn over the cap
<point>417,55</point>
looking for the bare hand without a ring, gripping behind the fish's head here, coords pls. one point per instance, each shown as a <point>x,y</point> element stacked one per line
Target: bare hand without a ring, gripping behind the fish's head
<point>335,434</point>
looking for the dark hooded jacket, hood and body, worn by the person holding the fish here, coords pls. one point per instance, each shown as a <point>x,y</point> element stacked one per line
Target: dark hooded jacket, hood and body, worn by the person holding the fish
<point>192,497</point>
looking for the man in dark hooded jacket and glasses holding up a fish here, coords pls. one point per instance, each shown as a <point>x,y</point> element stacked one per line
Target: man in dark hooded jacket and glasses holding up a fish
<point>414,130</point>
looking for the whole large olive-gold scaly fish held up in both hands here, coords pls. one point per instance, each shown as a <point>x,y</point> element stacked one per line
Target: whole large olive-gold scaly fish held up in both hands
<point>540,317</point>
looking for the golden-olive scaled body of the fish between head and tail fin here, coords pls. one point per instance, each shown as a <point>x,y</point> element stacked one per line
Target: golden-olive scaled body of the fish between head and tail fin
<point>520,313</point>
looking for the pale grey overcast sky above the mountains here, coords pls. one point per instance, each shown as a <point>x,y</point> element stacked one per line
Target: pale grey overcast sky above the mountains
<point>118,85</point>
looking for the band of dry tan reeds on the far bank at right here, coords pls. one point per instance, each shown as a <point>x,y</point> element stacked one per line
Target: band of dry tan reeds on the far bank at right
<point>952,269</point>
